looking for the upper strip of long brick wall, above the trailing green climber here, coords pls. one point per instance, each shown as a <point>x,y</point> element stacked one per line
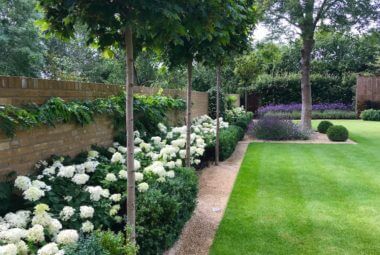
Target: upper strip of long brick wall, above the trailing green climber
<point>21,90</point>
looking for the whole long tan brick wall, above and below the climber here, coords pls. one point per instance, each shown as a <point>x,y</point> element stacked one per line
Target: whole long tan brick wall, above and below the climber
<point>27,147</point>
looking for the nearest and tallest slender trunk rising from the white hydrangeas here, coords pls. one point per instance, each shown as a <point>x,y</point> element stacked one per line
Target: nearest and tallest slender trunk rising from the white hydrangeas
<point>131,199</point>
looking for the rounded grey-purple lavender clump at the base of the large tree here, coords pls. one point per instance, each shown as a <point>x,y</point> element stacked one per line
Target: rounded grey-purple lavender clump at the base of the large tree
<point>273,128</point>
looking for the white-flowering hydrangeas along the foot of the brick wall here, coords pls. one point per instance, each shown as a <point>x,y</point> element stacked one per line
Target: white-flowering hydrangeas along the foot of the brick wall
<point>73,199</point>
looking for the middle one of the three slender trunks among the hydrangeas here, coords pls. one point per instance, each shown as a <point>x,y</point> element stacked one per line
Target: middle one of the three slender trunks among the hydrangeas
<point>188,112</point>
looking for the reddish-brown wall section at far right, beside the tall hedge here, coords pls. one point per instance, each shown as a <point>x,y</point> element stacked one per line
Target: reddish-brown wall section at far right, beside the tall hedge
<point>367,89</point>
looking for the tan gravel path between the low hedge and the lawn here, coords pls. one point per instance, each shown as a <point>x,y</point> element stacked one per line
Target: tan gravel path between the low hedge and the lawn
<point>215,186</point>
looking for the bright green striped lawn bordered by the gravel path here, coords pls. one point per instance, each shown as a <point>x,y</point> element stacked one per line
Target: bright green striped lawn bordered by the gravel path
<point>306,199</point>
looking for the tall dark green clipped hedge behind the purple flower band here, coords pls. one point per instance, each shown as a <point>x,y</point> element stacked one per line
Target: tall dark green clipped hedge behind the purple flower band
<point>285,89</point>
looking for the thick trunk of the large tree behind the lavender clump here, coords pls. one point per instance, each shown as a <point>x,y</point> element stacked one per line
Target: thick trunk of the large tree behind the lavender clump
<point>305,83</point>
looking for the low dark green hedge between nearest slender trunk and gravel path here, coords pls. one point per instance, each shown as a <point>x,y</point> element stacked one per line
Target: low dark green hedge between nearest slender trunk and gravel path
<point>163,210</point>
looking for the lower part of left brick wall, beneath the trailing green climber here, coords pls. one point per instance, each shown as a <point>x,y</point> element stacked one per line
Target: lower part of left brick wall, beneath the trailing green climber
<point>27,147</point>
